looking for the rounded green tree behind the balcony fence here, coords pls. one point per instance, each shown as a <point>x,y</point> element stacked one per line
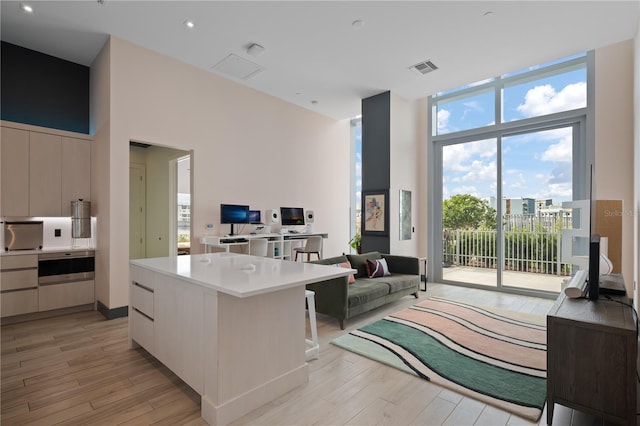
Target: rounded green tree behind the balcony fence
<point>464,211</point>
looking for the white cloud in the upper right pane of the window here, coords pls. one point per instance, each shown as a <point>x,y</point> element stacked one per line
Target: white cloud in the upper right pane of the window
<point>544,99</point>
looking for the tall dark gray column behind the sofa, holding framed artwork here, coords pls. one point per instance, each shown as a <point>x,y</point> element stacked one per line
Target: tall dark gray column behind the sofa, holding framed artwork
<point>376,149</point>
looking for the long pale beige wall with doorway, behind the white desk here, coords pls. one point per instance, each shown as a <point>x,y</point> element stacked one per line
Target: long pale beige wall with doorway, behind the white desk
<point>248,147</point>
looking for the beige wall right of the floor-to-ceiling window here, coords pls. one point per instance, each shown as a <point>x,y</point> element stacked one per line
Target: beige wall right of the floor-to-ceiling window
<point>614,124</point>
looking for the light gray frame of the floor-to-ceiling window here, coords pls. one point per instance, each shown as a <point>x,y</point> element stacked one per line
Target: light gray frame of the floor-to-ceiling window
<point>583,154</point>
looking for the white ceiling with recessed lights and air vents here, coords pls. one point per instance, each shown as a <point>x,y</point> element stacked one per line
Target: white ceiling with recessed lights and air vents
<point>314,53</point>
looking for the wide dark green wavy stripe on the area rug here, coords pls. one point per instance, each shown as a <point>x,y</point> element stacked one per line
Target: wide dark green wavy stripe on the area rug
<point>476,375</point>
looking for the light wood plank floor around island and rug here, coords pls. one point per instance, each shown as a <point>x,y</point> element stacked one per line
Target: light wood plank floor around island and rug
<point>77,369</point>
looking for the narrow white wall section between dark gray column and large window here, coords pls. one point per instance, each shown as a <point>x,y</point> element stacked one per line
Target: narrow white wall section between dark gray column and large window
<point>404,166</point>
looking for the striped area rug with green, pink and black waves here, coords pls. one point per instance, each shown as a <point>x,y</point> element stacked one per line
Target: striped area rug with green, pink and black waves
<point>495,356</point>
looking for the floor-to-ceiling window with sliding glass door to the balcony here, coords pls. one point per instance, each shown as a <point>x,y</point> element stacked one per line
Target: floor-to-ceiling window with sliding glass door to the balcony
<point>505,154</point>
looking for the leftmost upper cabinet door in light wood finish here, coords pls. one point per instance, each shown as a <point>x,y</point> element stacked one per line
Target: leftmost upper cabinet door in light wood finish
<point>14,153</point>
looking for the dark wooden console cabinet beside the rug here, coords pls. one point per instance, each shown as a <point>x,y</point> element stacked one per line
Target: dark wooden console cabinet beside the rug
<point>591,357</point>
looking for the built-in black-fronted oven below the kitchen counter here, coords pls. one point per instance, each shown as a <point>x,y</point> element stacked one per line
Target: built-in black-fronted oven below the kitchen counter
<point>66,267</point>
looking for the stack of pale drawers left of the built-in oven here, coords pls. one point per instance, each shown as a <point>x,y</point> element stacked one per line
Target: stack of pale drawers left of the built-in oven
<point>18,284</point>
